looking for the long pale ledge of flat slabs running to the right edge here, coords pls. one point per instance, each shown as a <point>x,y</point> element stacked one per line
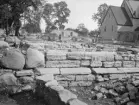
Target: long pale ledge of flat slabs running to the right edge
<point>87,70</point>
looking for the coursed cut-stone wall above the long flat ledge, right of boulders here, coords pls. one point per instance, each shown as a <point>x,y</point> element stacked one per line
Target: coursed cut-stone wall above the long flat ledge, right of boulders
<point>91,60</point>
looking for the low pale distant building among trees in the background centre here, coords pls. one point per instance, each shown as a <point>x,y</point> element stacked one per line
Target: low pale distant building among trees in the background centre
<point>65,35</point>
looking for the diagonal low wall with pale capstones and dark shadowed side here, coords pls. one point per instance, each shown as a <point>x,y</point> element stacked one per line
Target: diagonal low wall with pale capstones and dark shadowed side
<point>53,93</point>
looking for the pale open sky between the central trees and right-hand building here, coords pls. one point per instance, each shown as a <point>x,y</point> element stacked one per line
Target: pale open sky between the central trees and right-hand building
<point>82,11</point>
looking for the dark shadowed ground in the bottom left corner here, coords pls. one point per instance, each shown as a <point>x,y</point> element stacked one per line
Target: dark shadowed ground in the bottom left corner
<point>24,98</point>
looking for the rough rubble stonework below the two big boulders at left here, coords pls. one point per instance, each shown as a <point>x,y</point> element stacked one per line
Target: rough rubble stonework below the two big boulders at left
<point>12,82</point>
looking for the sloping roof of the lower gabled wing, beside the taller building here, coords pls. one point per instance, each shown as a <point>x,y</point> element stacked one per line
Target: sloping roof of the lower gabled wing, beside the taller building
<point>121,16</point>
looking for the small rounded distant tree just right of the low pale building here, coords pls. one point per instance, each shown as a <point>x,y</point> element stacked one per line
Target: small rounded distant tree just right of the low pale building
<point>82,30</point>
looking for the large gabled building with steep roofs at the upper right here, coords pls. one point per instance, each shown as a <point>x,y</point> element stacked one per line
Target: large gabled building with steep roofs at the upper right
<point>121,23</point>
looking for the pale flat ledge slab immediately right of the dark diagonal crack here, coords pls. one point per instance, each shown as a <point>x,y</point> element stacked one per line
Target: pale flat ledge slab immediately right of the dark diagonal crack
<point>106,70</point>
